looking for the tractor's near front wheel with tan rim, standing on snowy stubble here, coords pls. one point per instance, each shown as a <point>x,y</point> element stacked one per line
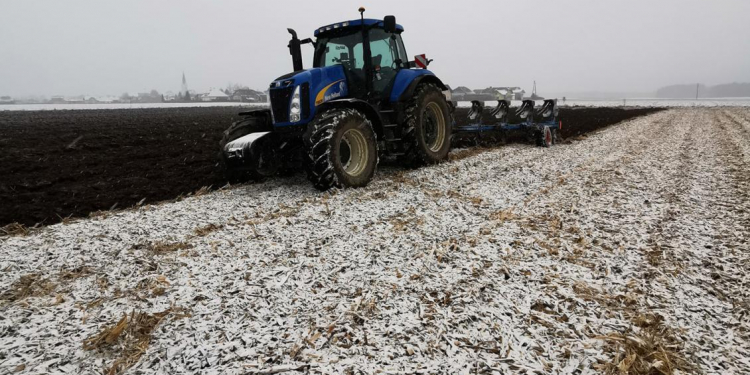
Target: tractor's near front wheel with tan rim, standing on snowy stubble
<point>341,149</point>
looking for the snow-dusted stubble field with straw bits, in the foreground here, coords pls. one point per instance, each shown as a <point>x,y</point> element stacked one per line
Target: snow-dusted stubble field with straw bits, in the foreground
<point>627,247</point>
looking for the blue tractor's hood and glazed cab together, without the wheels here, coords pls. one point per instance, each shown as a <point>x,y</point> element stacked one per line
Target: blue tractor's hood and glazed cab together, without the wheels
<point>363,60</point>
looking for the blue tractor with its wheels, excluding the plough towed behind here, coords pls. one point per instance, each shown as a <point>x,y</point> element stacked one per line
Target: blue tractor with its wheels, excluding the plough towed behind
<point>362,100</point>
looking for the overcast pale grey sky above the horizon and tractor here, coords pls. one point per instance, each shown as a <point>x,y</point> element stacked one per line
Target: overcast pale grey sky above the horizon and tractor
<point>102,47</point>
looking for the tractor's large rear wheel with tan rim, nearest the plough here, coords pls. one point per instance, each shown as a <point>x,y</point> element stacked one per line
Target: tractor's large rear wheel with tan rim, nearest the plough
<point>427,130</point>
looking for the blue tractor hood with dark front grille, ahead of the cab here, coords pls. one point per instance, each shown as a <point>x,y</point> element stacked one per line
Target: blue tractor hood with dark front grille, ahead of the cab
<point>314,87</point>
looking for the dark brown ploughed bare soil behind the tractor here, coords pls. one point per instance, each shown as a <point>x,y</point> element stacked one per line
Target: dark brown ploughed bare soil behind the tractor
<point>58,164</point>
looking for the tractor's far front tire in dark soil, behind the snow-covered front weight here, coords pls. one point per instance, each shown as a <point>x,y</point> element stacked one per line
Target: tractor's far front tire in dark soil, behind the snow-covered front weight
<point>263,166</point>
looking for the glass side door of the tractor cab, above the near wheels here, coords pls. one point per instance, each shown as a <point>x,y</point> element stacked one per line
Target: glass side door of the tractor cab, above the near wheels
<point>388,56</point>
